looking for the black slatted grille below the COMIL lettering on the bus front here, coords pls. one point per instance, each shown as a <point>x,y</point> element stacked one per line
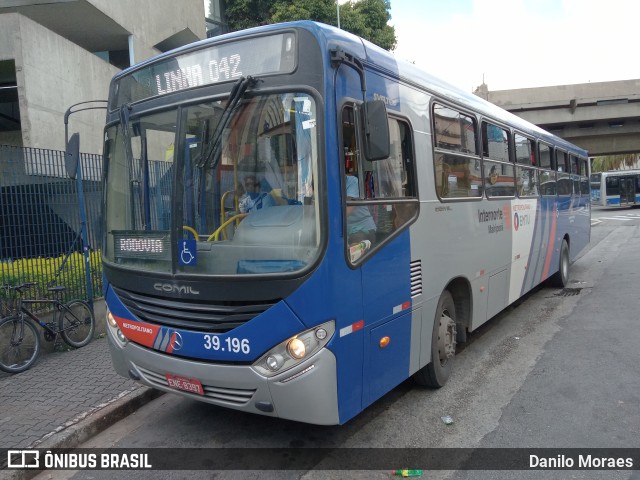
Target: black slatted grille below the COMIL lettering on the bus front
<point>218,317</point>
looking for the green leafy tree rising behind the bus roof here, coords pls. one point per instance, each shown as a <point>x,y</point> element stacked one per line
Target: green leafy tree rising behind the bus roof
<point>365,18</point>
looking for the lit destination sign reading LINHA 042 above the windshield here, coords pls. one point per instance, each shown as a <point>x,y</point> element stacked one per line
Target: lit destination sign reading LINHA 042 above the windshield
<point>209,65</point>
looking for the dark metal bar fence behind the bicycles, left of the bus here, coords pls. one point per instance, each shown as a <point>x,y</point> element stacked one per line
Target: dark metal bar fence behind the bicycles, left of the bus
<point>40,220</point>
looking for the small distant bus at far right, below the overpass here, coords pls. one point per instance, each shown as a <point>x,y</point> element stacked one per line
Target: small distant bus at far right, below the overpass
<point>617,188</point>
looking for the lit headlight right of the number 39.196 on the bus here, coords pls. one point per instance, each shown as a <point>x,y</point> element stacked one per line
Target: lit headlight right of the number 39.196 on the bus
<point>293,350</point>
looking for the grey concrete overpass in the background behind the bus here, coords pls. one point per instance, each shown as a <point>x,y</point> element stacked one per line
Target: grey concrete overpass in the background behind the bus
<point>601,117</point>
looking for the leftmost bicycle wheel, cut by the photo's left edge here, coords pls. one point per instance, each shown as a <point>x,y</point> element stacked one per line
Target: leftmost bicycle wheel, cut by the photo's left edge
<point>19,344</point>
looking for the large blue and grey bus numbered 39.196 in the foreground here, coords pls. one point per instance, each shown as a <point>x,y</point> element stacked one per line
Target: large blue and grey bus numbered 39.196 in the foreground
<point>296,222</point>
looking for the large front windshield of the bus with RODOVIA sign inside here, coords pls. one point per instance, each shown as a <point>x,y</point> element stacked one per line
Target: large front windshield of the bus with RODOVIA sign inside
<point>210,188</point>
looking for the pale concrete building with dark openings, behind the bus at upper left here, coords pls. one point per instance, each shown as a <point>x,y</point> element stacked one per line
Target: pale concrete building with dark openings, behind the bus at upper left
<point>58,53</point>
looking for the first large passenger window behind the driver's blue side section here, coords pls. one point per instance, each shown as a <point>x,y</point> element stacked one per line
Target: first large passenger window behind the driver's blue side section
<point>458,172</point>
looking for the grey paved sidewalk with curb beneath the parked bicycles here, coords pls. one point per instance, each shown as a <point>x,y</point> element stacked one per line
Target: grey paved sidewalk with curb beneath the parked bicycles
<point>65,398</point>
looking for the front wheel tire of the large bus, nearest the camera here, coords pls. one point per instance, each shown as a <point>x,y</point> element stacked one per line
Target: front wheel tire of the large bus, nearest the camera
<point>443,345</point>
